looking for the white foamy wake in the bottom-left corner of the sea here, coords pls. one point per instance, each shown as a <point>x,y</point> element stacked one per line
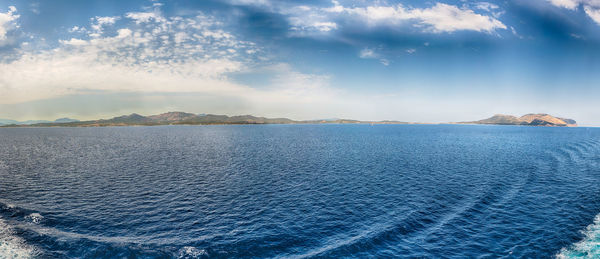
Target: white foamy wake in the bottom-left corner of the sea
<point>12,246</point>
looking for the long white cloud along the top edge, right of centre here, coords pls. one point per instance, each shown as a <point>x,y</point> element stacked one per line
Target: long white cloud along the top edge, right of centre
<point>440,18</point>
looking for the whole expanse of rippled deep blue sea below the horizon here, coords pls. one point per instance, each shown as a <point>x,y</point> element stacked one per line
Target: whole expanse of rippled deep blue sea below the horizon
<point>297,191</point>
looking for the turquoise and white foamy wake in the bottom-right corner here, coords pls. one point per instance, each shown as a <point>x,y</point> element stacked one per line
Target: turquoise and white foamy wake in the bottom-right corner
<point>589,247</point>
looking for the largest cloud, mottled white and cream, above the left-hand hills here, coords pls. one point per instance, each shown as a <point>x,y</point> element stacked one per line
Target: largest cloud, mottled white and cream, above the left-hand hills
<point>159,56</point>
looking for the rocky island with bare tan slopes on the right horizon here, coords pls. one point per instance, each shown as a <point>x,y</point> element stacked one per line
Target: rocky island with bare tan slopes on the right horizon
<point>539,119</point>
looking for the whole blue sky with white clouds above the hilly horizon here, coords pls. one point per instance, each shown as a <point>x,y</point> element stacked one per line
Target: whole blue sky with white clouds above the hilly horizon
<point>418,61</point>
